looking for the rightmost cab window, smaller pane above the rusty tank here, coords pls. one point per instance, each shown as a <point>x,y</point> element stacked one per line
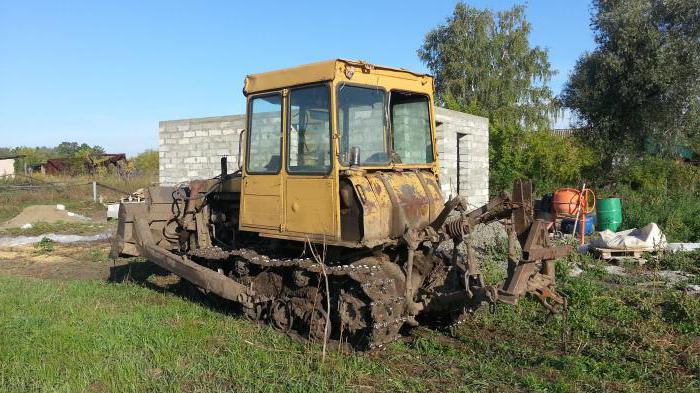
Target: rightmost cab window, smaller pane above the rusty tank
<point>410,123</point>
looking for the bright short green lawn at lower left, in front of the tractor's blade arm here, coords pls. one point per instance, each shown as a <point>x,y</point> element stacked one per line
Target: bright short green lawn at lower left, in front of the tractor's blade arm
<point>77,336</point>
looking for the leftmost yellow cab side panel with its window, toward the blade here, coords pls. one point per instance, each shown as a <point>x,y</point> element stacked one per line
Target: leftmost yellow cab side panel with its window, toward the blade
<point>261,193</point>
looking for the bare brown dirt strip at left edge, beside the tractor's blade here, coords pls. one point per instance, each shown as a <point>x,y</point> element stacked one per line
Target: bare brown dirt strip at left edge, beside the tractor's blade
<point>81,261</point>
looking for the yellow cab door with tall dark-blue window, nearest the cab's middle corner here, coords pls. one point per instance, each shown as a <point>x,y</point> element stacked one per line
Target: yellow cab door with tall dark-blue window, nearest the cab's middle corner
<point>310,190</point>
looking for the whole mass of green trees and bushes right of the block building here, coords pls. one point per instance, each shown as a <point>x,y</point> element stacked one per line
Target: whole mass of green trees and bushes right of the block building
<point>634,99</point>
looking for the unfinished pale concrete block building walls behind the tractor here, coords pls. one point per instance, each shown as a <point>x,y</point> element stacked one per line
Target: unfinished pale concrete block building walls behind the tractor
<point>192,149</point>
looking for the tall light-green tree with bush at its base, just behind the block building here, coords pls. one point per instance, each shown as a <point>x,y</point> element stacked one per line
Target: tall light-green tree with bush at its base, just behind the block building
<point>484,65</point>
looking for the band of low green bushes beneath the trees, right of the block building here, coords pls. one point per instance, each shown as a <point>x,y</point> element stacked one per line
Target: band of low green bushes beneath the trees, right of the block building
<point>652,189</point>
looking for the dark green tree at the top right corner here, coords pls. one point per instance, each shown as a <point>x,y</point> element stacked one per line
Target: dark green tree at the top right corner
<point>639,90</point>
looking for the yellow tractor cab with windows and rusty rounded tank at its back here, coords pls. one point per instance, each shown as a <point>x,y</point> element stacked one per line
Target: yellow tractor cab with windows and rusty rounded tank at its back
<point>339,151</point>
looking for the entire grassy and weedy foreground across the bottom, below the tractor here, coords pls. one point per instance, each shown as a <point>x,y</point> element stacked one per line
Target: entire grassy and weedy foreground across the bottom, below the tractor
<point>96,336</point>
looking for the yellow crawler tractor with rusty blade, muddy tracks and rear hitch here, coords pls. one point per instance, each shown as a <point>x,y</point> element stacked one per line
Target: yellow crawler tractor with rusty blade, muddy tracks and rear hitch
<point>332,224</point>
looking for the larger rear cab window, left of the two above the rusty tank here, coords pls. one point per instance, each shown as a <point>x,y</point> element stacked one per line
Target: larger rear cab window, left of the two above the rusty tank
<point>361,124</point>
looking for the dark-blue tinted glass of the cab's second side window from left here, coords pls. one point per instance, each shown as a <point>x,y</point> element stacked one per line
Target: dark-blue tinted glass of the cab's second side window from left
<point>309,130</point>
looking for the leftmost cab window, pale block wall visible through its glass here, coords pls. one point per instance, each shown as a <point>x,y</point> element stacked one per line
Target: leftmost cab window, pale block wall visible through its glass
<point>264,134</point>
